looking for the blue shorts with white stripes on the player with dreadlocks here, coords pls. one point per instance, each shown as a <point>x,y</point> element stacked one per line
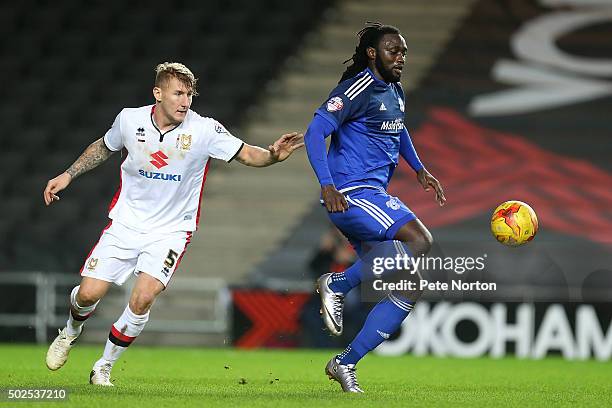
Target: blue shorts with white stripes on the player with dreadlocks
<point>373,216</point>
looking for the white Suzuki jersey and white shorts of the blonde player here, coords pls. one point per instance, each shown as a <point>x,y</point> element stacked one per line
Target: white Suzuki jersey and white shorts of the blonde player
<point>157,205</point>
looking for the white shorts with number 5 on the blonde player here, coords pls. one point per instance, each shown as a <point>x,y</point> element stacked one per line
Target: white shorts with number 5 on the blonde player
<point>121,251</point>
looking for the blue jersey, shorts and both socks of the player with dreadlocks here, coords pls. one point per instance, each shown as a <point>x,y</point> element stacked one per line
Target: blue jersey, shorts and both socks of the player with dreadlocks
<point>365,118</point>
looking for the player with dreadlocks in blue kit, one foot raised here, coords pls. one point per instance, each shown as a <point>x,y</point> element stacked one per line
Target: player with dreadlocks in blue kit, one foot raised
<point>364,115</point>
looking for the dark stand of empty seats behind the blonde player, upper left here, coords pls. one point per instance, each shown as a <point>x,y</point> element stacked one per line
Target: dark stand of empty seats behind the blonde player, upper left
<point>70,67</point>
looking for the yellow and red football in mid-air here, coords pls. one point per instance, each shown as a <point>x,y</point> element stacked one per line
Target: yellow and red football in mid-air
<point>514,223</point>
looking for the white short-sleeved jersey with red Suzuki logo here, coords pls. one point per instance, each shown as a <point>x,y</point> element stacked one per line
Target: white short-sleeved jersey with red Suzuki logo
<point>163,174</point>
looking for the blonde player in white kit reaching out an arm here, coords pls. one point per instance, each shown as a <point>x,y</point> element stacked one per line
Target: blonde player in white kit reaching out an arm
<point>155,210</point>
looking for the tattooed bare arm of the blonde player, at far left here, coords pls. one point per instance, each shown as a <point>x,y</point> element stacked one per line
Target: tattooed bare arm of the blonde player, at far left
<point>95,154</point>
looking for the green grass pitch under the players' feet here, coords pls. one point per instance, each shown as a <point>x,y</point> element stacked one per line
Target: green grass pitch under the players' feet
<point>185,377</point>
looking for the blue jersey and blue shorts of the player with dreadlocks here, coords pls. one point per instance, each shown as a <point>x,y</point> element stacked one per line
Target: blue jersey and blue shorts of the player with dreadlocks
<point>365,118</point>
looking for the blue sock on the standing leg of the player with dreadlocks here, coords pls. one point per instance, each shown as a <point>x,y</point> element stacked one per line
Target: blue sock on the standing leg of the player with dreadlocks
<point>384,319</point>
